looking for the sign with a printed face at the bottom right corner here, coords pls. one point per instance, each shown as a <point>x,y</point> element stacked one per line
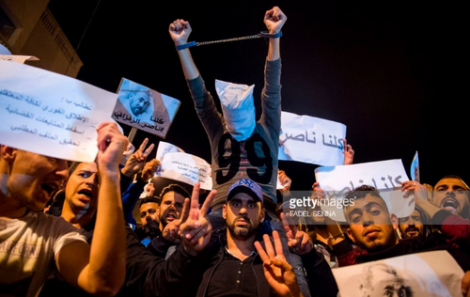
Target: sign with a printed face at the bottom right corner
<point>427,274</point>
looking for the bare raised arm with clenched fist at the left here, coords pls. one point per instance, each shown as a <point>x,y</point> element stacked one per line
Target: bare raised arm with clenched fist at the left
<point>100,269</point>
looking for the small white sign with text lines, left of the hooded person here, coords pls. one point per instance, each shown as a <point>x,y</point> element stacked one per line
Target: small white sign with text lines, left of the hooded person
<point>186,168</point>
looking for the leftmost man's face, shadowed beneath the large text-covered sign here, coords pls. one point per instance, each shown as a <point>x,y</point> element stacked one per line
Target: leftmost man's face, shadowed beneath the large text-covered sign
<point>33,178</point>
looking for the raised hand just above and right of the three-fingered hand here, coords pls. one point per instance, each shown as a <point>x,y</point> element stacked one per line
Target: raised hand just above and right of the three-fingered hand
<point>299,242</point>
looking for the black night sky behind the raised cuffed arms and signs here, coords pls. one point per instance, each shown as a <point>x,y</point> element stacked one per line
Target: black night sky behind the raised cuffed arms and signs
<point>397,75</point>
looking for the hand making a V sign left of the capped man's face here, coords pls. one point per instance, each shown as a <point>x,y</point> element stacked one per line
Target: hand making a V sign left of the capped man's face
<point>196,231</point>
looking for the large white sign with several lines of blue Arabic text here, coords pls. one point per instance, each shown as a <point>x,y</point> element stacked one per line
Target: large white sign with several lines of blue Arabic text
<point>51,114</point>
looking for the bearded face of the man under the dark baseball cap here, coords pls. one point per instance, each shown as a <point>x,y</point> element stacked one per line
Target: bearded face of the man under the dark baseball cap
<point>243,213</point>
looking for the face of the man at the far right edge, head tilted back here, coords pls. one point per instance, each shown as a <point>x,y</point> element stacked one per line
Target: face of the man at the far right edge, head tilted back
<point>452,194</point>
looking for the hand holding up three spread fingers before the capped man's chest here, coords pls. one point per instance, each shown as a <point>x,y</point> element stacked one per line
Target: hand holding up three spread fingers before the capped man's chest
<point>277,270</point>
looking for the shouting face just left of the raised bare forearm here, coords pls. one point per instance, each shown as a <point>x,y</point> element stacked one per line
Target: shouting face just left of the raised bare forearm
<point>81,191</point>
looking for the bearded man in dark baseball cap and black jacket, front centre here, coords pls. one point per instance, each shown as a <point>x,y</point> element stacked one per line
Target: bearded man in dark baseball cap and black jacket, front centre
<point>235,268</point>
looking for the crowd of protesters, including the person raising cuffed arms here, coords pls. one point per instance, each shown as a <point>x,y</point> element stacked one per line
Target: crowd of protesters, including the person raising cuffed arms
<point>69,229</point>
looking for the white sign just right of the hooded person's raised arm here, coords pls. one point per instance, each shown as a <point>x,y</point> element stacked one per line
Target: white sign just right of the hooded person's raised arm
<point>311,140</point>
